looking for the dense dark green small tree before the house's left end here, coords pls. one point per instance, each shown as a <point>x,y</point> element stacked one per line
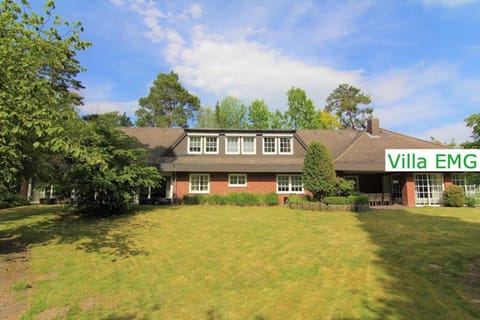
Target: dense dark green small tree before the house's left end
<point>109,186</point>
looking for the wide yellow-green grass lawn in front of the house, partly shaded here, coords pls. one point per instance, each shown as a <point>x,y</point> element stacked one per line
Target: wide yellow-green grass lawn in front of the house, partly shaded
<point>202,262</point>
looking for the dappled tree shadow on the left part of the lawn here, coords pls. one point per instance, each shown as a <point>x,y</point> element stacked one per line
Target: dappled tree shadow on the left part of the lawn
<point>107,236</point>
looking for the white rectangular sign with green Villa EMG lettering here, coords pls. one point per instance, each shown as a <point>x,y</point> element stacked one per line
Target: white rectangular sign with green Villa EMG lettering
<point>431,160</point>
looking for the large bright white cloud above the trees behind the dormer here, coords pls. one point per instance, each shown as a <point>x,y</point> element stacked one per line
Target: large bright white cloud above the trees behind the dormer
<point>249,70</point>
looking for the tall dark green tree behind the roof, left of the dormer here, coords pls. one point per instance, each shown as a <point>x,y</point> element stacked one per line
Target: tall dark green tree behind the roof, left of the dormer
<point>168,104</point>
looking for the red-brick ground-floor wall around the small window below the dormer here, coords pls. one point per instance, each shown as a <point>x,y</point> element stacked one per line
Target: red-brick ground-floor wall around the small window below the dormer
<point>256,183</point>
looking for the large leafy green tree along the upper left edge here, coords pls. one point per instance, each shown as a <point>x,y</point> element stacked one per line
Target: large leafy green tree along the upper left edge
<point>38,87</point>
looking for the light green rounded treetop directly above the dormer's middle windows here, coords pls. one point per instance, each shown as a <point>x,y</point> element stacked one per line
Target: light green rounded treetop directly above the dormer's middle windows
<point>231,113</point>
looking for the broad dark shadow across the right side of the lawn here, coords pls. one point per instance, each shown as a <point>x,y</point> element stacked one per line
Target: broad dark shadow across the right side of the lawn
<point>426,261</point>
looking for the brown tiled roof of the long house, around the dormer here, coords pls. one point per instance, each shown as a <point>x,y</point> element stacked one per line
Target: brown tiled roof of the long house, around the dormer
<point>352,150</point>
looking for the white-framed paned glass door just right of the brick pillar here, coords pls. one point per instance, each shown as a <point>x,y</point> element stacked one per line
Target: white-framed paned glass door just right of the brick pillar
<point>428,189</point>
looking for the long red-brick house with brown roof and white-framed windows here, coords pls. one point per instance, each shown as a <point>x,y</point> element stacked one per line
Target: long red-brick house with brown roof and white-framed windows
<point>221,161</point>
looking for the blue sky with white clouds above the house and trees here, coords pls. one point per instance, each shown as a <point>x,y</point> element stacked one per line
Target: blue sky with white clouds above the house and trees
<point>419,60</point>
